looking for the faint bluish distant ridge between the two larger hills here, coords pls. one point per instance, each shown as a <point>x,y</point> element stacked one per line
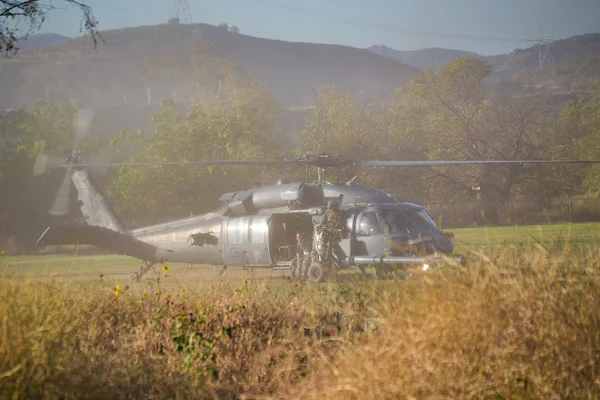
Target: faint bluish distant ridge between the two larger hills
<point>430,57</point>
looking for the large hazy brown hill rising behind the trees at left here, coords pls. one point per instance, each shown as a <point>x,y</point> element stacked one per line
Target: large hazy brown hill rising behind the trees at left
<point>72,69</point>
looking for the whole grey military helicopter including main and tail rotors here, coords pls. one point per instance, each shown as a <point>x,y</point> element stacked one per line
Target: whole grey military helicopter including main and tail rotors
<point>258,228</point>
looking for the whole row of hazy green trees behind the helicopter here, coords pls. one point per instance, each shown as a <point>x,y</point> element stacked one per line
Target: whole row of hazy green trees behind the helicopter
<point>439,114</point>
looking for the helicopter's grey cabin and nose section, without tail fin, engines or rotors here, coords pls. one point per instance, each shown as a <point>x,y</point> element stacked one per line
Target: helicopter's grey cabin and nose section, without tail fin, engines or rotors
<point>268,238</point>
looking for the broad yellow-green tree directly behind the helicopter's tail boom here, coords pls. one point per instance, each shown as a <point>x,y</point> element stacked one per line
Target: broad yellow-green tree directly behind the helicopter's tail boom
<point>239,123</point>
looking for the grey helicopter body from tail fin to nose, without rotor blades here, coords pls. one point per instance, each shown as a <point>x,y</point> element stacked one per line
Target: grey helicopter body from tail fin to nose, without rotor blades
<point>258,228</point>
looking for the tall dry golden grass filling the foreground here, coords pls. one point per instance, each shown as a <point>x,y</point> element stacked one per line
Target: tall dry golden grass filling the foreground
<point>510,325</point>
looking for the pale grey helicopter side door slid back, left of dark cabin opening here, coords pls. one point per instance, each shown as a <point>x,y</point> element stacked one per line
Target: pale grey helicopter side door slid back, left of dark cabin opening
<point>247,243</point>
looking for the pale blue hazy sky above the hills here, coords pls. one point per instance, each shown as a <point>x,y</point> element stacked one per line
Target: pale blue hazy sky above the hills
<point>401,24</point>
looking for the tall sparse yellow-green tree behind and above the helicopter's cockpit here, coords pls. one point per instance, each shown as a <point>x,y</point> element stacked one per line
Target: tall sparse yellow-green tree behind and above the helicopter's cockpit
<point>454,118</point>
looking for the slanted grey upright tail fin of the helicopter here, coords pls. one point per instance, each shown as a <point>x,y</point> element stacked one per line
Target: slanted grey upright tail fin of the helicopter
<point>93,203</point>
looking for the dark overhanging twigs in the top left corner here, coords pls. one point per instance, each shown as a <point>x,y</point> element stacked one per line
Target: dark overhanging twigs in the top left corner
<point>32,14</point>
